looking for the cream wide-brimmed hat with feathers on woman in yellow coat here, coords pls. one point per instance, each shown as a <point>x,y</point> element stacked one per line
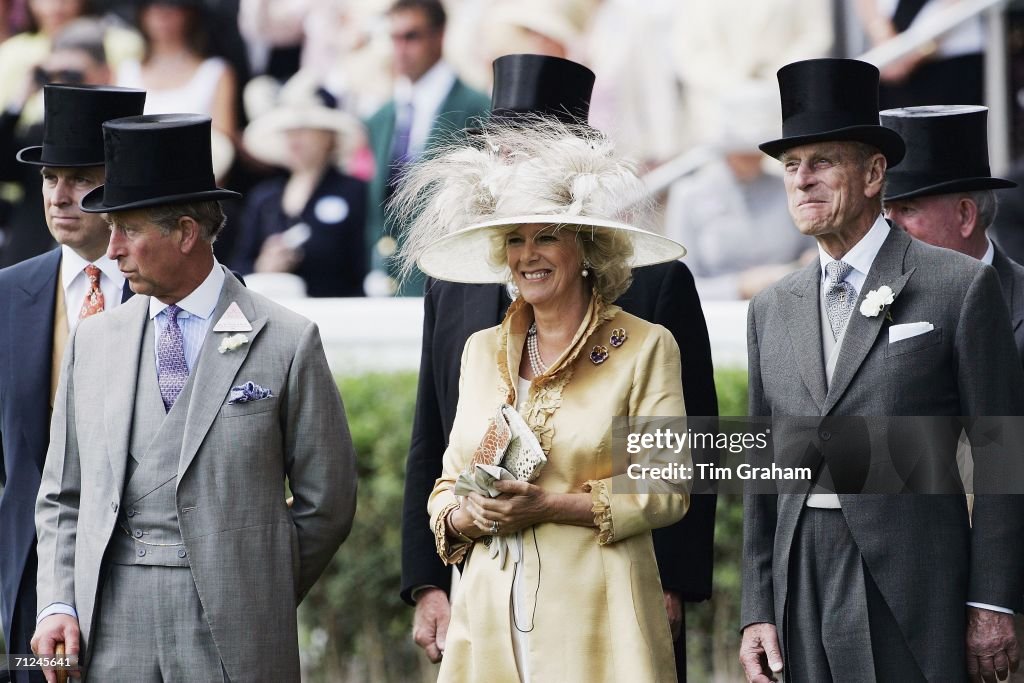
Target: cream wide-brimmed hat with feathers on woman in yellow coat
<point>546,173</point>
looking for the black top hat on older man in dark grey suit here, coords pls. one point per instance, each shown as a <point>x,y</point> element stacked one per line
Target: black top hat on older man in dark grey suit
<point>827,101</point>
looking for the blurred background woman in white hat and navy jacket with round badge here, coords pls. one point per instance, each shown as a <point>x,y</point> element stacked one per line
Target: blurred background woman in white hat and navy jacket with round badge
<point>313,222</point>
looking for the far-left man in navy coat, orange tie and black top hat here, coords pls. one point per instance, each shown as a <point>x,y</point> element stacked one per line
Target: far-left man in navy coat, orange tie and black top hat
<point>42,300</point>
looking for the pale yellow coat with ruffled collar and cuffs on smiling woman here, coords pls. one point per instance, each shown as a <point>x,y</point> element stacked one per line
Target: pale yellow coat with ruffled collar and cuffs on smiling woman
<point>600,608</point>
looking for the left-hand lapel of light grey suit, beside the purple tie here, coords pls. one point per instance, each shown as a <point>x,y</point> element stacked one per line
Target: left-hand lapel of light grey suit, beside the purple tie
<point>124,332</point>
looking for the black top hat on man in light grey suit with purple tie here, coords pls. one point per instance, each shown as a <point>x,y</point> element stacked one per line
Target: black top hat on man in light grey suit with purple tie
<point>156,160</point>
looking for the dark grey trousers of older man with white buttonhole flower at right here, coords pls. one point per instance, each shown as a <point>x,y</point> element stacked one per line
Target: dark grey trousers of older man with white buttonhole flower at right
<point>837,625</point>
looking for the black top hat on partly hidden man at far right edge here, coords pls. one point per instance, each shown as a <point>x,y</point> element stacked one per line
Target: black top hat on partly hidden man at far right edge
<point>947,152</point>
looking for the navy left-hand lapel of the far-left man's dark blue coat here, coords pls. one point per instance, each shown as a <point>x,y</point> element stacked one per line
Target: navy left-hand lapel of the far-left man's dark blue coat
<point>30,337</point>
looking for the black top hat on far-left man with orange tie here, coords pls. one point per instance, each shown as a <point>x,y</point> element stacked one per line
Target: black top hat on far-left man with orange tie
<point>73,118</point>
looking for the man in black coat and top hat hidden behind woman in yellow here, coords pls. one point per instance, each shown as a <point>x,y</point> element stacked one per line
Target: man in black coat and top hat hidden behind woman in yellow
<point>529,86</point>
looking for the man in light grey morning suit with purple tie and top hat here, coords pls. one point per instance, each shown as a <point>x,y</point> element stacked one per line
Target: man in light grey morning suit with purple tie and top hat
<point>166,548</point>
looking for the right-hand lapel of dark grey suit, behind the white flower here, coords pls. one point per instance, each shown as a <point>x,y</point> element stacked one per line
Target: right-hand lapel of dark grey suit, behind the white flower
<point>862,331</point>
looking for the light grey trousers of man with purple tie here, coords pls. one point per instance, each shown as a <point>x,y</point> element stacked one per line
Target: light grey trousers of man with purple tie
<point>151,628</point>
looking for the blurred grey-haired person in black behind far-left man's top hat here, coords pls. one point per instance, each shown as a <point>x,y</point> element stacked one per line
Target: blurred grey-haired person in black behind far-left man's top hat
<point>78,58</point>
